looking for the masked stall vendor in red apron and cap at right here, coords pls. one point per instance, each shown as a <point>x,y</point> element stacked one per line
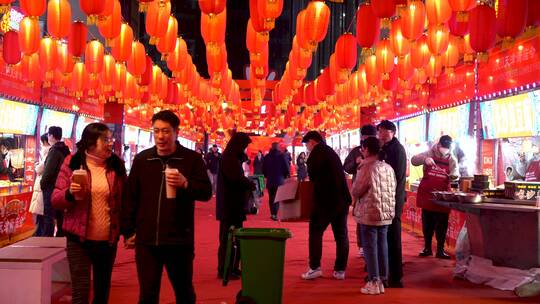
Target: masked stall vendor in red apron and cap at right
<point>440,167</point>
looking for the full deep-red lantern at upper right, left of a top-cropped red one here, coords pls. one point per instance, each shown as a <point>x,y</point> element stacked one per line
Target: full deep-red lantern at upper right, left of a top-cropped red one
<point>482,23</point>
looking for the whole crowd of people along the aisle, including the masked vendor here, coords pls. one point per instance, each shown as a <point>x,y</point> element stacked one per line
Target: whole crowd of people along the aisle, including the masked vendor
<point>92,201</point>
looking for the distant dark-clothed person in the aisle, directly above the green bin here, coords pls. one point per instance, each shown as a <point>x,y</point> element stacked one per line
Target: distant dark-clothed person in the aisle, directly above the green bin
<point>275,170</point>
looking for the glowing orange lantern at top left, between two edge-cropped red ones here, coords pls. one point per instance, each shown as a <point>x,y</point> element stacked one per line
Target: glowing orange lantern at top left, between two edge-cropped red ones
<point>59,18</point>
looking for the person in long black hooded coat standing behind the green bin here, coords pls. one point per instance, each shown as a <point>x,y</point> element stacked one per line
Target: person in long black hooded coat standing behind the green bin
<point>231,198</point>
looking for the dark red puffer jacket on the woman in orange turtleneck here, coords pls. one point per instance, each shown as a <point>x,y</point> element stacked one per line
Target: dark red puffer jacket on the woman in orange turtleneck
<point>76,213</point>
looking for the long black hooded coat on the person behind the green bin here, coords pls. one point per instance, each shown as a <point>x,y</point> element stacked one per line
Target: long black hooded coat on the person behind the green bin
<point>232,184</point>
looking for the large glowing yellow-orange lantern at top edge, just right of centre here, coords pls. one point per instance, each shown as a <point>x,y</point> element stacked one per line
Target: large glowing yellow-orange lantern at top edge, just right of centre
<point>317,18</point>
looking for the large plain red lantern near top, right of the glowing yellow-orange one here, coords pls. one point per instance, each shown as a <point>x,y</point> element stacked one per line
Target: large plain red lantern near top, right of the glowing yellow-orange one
<point>367,26</point>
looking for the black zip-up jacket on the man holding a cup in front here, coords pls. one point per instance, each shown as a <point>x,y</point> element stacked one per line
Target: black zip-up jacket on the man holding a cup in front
<point>147,211</point>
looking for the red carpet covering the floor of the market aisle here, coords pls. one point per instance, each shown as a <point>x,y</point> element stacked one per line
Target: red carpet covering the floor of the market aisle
<point>427,280</point>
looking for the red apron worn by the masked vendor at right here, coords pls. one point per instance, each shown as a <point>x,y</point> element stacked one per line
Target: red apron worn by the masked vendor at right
<point>435,179</point>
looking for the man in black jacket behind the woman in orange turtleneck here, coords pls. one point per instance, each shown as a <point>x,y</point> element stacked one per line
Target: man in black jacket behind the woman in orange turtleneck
<point>53,163</point>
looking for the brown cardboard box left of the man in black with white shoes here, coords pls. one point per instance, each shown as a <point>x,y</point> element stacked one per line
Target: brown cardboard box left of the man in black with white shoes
<point>295,200</point>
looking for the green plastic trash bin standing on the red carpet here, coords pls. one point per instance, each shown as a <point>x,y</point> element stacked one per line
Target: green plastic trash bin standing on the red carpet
<point>262,256</point>
